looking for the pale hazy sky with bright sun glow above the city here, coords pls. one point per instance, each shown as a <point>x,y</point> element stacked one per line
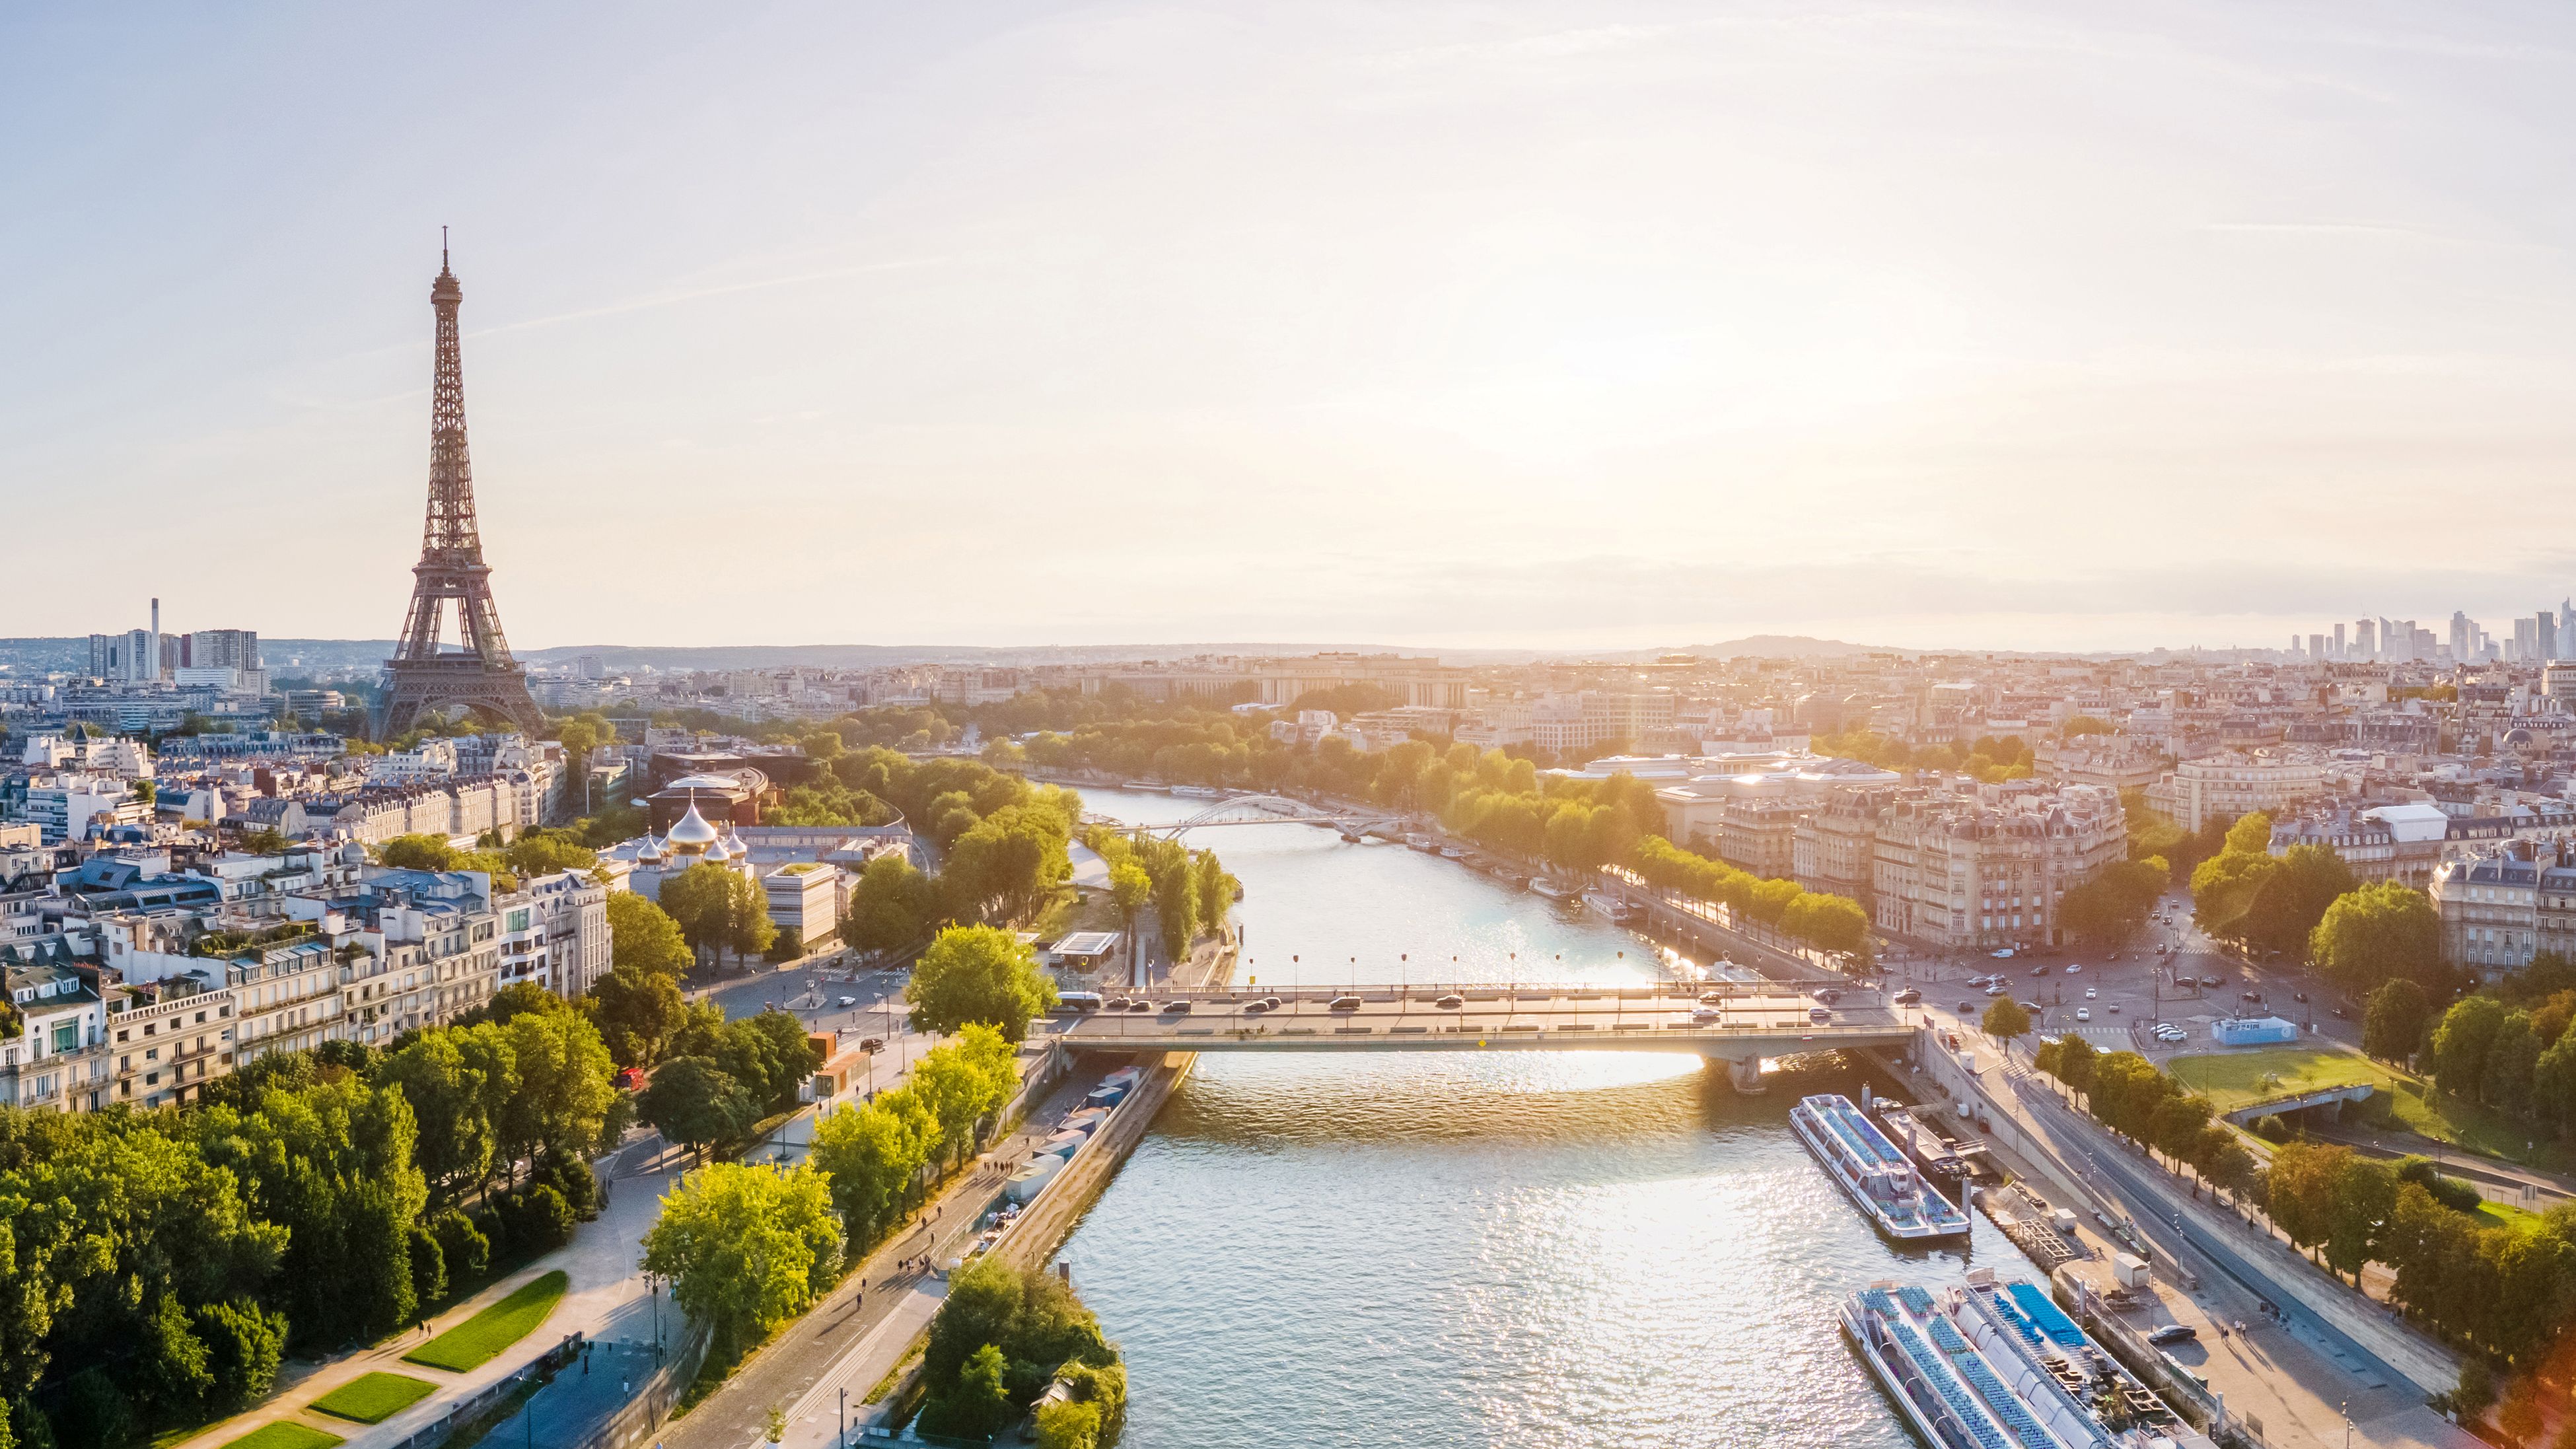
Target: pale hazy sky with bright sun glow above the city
<point>1560,326</point>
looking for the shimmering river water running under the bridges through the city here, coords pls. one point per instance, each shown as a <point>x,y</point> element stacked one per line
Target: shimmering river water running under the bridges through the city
<point>1549,1250</point>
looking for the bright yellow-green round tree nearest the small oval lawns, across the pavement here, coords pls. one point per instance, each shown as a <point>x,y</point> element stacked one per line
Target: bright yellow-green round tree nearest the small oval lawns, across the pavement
<point>746,1247</point>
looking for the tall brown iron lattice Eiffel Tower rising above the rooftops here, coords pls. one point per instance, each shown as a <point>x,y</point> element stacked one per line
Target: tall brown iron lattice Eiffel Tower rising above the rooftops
<point>421,676</point>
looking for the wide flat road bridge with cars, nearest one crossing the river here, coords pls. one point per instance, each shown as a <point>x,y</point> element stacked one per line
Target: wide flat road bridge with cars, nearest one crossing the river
<point>1738,1023</point>
